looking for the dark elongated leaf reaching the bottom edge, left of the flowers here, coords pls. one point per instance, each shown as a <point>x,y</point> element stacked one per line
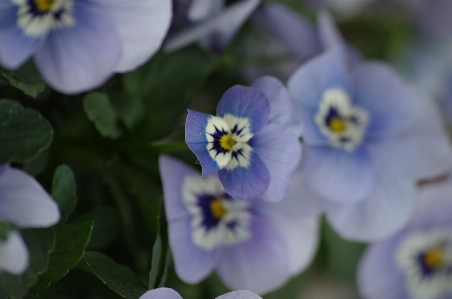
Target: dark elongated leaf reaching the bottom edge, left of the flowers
<point>118,278</point>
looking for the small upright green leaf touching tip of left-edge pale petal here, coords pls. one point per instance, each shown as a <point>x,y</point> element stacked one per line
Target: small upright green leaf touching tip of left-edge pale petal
<point>63,190</point>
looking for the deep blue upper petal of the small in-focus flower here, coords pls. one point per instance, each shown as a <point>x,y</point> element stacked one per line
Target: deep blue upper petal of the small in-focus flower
<point>245,102</point>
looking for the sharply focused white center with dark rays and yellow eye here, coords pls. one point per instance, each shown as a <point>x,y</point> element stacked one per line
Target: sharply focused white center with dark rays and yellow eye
<point>227,139</point>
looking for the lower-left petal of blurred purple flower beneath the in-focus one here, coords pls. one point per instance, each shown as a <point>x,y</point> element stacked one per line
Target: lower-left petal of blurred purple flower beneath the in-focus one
<point>192,263</point>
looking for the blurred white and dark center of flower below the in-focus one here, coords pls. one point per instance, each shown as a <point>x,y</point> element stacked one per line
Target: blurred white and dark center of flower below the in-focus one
<point>217,218</point>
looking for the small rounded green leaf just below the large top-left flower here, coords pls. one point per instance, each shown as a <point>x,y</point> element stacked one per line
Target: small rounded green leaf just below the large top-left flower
<point>99,110</point>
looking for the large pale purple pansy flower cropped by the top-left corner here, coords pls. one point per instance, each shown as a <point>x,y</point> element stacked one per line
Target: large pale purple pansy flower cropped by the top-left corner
<point>78,44</point>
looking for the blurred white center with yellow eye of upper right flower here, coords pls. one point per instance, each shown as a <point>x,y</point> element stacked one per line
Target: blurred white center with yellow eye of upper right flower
<point>341,122</point>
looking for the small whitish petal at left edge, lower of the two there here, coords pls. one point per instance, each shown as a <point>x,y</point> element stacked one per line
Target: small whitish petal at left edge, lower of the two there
<point>14,254</point>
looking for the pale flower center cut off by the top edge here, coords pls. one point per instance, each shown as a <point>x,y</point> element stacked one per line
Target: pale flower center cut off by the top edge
<point>37,17</point>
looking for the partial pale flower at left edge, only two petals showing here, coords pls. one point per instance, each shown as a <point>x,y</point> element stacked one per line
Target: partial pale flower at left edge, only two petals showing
<point>23,204</point>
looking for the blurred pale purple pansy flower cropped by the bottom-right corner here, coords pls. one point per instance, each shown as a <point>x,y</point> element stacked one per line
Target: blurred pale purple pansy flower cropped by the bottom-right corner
<point>416,263</point>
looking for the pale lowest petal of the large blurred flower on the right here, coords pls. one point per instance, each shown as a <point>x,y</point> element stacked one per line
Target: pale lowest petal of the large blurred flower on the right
<point>386,210</point>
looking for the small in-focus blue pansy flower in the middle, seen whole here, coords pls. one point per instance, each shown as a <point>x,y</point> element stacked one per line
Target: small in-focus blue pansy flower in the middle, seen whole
<point>252,142</point>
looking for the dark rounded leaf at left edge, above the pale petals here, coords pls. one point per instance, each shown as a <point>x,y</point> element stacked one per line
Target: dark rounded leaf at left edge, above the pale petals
<point>24,133</point>
